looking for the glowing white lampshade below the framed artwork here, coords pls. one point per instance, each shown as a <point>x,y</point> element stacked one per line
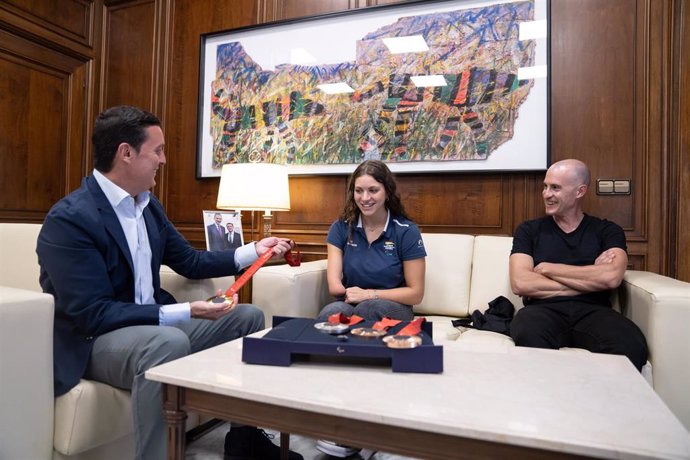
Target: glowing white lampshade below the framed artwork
<point>254,187</point>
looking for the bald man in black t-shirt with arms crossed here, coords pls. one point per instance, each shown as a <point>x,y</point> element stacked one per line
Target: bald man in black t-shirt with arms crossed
<point>564,265</point>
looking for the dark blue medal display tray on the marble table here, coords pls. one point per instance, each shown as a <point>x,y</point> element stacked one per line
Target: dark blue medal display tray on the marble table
<point>294,339</point>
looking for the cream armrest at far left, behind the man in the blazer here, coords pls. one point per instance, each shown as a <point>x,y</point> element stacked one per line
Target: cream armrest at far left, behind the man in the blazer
<point>26,374</point>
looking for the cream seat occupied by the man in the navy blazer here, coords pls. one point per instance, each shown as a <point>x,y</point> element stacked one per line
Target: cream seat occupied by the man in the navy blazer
<point>93,421</point>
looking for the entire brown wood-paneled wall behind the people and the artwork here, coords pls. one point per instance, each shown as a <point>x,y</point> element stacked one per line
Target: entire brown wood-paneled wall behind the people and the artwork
<point>618,69</point>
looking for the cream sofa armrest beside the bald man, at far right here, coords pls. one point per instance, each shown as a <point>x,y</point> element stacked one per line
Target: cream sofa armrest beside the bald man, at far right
<point>660,306</point>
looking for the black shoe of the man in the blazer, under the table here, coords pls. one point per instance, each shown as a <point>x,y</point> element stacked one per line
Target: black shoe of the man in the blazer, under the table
<point>250,443</point>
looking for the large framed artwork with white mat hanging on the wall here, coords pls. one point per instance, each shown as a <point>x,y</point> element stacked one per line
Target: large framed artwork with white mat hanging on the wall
<point>444,85</point>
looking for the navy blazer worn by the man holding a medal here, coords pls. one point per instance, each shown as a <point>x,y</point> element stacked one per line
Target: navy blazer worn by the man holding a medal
<point>86,265</point>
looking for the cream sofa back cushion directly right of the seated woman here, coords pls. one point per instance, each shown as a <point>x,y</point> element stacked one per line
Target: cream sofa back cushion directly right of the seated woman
<point>448,272</point>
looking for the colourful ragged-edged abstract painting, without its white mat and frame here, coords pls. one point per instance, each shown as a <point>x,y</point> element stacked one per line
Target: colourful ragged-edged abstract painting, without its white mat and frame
<point>280,115</point>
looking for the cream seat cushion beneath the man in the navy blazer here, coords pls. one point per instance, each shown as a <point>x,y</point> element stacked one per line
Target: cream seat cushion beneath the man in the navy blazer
<point>91,414</point>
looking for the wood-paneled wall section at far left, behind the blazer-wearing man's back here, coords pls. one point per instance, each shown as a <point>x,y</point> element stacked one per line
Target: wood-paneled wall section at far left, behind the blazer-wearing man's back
<point>47,58</point>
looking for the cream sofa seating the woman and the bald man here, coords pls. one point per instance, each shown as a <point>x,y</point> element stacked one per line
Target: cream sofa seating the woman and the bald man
<point>464,273</point>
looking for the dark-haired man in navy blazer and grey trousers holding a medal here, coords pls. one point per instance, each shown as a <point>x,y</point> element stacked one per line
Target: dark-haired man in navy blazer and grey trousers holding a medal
<point>100,250</point>
